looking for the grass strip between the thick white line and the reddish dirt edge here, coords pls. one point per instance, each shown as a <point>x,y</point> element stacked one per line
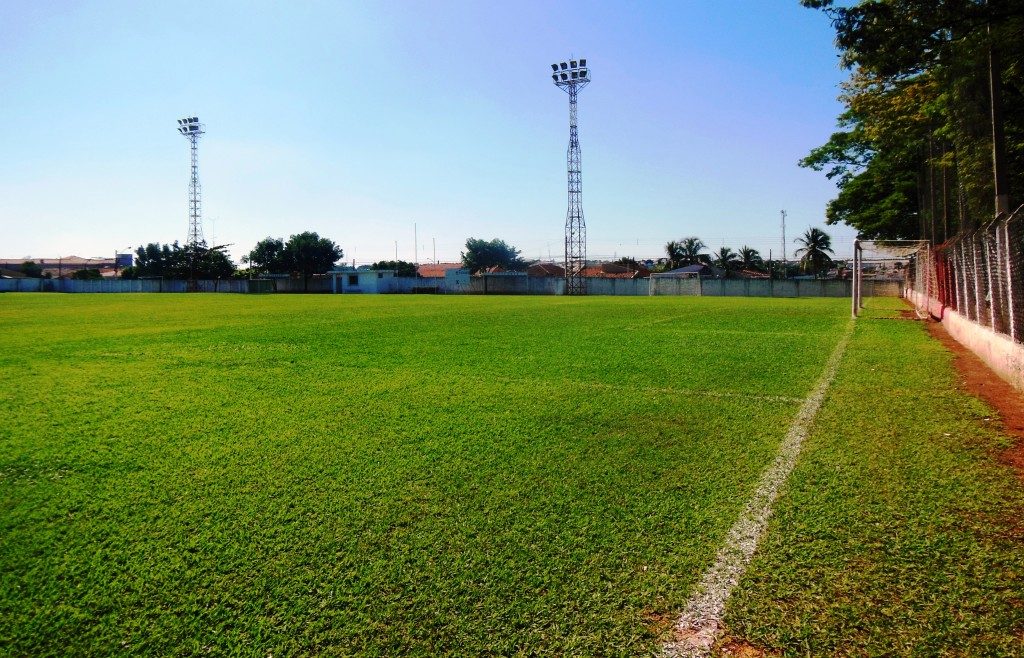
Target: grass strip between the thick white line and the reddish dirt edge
<point>902,533</point>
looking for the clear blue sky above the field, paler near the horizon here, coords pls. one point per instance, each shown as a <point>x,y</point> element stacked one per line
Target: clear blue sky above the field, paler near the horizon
<point>358,120</point>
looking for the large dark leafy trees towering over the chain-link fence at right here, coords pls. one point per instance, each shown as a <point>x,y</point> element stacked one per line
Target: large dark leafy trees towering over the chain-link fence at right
<point>931,80</point>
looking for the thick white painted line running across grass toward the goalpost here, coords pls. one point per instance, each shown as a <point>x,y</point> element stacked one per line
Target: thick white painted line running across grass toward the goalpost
<point>698,628</point>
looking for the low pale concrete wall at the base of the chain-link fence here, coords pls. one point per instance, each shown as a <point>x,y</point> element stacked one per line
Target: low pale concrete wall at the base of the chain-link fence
<point>998,352</point>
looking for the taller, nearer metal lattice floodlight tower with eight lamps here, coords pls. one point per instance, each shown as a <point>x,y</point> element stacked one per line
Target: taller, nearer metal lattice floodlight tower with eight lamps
<point>571,77</point>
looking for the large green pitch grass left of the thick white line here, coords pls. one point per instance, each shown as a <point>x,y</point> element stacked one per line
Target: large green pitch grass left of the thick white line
<point>385,475</point>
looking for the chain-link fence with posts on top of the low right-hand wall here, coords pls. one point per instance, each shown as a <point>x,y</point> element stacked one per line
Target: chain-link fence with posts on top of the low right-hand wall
<point>979,275</point>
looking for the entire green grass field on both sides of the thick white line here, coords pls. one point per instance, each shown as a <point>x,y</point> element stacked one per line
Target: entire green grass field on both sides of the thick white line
<point>301,475</point>
